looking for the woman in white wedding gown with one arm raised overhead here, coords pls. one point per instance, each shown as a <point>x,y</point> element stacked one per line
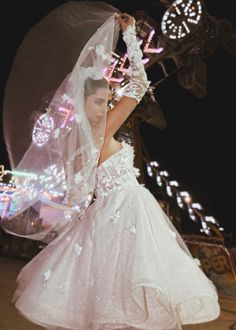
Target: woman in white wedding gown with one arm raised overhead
<point>121,263</point>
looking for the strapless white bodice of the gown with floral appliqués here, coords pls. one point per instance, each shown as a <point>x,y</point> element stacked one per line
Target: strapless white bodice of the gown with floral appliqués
<point>116,171</point>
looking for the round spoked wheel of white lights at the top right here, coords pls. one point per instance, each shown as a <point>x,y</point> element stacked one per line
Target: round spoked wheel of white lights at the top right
<point>181,18</point>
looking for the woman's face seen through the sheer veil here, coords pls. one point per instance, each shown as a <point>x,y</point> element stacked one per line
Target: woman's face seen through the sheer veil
<point>96,104</point>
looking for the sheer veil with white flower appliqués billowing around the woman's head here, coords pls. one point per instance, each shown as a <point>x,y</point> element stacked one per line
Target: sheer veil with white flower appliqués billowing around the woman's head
<point>55,178</point>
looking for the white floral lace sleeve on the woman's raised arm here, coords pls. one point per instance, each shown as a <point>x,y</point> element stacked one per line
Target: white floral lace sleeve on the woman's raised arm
<point>138,83</point>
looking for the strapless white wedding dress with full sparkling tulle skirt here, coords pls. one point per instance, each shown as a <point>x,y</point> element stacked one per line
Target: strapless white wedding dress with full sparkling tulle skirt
<point>121,265</point>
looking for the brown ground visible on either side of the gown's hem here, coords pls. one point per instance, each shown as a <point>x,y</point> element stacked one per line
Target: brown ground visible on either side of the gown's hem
<point>10,319</point>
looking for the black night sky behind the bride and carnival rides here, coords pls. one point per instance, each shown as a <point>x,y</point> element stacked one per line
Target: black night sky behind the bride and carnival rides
<point>197,147</point>
